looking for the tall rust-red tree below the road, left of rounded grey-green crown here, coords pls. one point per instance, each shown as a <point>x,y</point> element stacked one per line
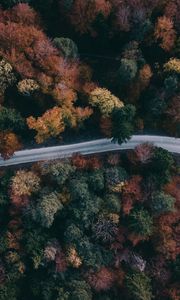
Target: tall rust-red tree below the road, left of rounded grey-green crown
<point>132,193</point>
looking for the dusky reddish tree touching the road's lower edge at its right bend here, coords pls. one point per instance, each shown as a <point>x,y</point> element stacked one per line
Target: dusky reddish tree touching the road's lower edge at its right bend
<point>141,154</point>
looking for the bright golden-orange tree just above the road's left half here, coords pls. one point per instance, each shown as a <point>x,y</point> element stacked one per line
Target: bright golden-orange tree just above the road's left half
<point>51,124</point>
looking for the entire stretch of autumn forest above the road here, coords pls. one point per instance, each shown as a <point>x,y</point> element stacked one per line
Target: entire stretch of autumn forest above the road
<point>87,69</point>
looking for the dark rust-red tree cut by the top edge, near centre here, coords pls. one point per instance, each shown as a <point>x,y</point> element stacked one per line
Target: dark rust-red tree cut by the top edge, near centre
<point>84,13</point>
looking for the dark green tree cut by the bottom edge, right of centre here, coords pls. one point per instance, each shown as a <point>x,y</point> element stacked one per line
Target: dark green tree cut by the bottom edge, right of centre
<point>138,285</point>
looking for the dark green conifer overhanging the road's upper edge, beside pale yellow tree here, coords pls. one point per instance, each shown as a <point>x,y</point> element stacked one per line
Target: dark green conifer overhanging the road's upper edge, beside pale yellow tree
<point>122,123</point>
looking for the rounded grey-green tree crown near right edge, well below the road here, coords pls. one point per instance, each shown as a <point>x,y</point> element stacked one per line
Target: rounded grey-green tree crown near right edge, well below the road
<point>162,203</point>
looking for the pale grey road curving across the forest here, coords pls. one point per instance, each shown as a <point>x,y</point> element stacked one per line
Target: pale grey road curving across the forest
<point>96,146</point>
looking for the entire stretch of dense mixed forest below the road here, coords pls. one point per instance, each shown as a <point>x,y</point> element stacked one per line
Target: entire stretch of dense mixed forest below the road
<point>99,227</point>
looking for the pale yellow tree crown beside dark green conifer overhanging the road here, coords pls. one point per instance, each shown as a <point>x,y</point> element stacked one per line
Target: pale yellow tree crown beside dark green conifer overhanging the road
<point>104,101</point>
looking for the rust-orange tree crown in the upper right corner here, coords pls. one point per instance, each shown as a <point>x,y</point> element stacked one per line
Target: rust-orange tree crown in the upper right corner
<point>164,31</point>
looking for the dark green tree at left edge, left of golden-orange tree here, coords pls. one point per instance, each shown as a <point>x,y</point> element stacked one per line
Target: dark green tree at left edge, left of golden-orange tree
<point>10,119</point>
